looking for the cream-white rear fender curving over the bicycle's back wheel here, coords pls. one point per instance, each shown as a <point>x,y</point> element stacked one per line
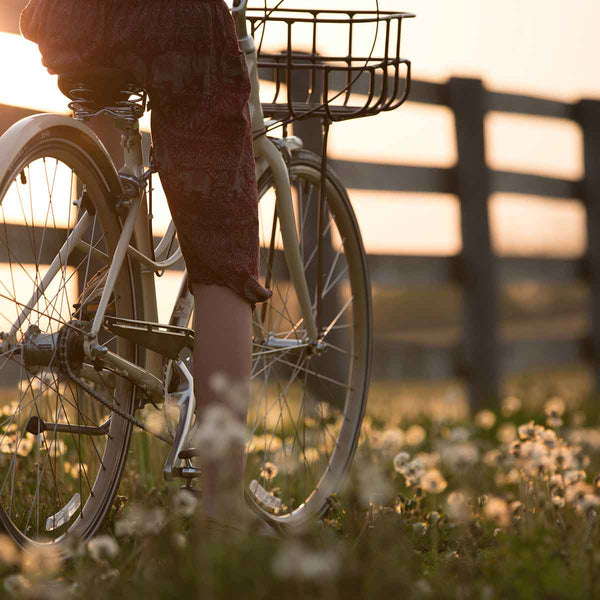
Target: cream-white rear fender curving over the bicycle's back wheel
<point>19,138</point>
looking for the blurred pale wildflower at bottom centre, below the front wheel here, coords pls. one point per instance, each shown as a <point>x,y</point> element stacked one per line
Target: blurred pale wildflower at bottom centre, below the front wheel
<point>296,561</point>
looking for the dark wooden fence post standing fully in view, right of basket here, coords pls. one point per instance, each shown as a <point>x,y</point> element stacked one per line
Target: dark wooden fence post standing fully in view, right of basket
<point>467,98</point>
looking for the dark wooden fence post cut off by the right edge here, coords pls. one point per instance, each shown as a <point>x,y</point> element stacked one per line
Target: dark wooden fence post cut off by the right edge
<point>588,115</point>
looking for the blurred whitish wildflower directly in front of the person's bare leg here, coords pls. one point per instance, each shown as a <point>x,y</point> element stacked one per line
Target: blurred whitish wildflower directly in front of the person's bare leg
<point>219,432</point>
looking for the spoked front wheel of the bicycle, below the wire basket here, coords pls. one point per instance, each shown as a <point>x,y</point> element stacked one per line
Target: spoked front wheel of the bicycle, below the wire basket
<point>307,402</point>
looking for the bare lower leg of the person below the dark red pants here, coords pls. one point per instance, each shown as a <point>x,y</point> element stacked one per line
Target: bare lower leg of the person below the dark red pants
<point>223,345</point>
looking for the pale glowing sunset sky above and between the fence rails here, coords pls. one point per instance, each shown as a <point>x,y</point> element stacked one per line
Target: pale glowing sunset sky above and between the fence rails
<point>534,47</point>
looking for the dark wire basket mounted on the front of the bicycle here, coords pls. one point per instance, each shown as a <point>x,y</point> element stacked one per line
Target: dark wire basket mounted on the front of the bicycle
<point>335,64</point>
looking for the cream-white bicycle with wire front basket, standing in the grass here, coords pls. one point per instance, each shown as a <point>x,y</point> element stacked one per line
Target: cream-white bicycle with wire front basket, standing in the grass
<point>82,349</point>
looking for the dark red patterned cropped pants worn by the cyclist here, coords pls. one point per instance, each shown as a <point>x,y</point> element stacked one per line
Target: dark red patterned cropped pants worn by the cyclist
<point>185,53</point>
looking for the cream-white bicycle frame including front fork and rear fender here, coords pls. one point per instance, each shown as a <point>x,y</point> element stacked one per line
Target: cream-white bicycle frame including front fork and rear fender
<point>135,243</point>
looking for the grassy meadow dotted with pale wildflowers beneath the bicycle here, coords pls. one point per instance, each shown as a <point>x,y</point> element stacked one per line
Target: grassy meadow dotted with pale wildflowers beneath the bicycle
<point>437,506</point>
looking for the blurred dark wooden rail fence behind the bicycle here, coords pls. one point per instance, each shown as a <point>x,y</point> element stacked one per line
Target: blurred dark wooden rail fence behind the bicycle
<point>479,357</point>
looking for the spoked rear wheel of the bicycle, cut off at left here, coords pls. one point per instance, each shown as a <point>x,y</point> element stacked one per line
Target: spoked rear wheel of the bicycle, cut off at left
<point>61,452</point>
